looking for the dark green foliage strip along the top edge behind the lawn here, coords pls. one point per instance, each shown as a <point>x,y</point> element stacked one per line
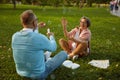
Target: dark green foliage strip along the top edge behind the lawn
<point>56,3</point>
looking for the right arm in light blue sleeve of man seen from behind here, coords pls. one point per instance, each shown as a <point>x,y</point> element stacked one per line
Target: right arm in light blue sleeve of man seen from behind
<point>43,43</point>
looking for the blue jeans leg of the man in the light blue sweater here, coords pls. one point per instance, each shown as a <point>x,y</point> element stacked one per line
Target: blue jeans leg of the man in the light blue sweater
<point>53,63</point>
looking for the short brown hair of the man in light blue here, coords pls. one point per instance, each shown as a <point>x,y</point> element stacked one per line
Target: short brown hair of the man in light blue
<point>27,17</point>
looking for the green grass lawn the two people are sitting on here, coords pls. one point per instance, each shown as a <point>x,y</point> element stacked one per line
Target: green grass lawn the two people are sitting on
<point>105,42</point>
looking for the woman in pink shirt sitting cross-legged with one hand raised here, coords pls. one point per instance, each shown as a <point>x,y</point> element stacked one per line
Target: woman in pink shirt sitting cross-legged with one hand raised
<point>78,38</point>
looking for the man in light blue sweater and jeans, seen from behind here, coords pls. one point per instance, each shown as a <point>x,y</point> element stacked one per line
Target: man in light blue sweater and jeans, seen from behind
<point>28,49</point>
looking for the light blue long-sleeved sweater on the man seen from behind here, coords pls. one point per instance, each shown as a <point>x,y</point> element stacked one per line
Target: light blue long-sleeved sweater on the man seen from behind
<point>28,52</point>
